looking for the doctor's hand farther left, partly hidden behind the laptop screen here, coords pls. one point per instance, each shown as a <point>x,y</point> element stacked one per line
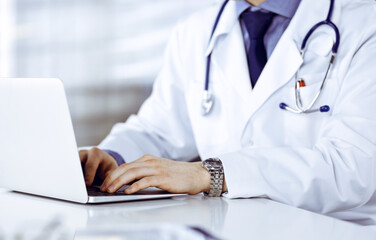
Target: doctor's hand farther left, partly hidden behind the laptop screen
<point>96,162</point>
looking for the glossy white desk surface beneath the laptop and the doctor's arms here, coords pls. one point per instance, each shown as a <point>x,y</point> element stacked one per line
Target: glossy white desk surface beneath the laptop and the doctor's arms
<point>230,219</point>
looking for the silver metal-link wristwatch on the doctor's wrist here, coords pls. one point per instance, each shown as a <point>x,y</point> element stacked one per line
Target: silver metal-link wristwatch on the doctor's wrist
<point>215,169</point>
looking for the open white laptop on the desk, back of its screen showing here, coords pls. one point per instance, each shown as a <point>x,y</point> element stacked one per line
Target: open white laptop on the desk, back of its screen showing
<point>38,150</point>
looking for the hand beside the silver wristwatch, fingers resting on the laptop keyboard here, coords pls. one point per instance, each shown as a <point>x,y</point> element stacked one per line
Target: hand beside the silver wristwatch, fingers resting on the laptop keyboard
<point>151,171</point>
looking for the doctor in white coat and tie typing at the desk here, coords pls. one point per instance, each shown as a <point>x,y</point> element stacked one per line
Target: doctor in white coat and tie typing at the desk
<point>261,129</point>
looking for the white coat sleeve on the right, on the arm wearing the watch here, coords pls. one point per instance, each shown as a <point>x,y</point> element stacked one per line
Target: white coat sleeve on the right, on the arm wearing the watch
<point>339,171</point>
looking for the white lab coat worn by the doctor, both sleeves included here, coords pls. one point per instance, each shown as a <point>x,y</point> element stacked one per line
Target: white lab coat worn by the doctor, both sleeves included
<point>323,162</point>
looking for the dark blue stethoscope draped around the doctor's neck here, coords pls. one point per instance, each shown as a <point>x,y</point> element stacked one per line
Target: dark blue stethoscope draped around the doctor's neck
<point>207,101</point>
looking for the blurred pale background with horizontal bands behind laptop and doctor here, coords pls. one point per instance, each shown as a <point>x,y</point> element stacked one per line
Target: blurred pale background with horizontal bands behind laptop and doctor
<point>107,52</point>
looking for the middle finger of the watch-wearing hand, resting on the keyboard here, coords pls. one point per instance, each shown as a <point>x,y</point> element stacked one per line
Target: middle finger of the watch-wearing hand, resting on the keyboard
<point>129,176</point>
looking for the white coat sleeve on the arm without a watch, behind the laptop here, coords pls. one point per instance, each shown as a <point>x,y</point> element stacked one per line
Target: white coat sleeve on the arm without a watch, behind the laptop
<point>161,127</point>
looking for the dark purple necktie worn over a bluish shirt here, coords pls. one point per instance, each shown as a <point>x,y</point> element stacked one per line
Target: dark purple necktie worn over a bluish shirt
<point>256,24</point>
